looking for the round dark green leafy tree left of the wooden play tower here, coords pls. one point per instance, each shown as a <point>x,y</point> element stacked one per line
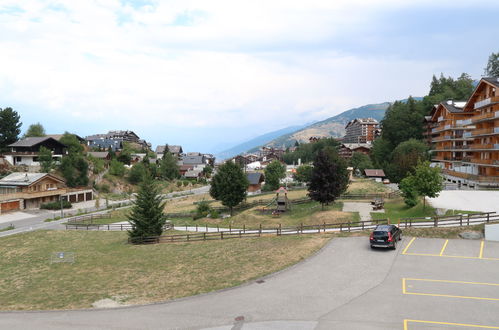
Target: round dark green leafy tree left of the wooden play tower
<point>229,185</point>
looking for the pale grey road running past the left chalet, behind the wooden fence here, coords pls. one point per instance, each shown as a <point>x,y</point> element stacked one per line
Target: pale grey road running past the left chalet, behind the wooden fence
<point>35,219</point>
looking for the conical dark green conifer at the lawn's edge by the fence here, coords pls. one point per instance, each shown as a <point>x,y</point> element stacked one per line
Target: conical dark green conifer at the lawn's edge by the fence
<point>147,217</point>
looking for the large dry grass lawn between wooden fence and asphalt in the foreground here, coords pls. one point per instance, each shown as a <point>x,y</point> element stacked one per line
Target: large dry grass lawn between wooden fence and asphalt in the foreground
<point>107,267</point>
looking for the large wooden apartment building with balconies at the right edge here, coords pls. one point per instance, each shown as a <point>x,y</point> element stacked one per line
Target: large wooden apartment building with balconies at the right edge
<point>465,136</point>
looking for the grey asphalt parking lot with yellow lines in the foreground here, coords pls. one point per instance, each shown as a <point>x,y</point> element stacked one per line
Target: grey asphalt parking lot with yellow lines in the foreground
<point>424,284</point>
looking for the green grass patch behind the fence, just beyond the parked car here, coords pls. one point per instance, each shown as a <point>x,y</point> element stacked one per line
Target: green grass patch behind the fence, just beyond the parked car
<point>396,209</point>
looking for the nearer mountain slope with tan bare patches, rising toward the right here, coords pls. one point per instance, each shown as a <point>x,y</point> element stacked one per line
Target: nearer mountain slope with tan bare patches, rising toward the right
<point>333,126</point>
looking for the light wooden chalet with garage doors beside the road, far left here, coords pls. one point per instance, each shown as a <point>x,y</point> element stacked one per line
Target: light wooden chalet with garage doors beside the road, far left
<point>21,190</point>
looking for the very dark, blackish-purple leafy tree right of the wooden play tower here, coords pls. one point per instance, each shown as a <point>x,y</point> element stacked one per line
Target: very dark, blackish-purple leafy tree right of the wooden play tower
<point>329,177</point>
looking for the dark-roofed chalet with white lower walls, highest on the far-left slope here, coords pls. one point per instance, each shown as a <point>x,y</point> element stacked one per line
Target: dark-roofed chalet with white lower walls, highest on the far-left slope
<point>26,151</point>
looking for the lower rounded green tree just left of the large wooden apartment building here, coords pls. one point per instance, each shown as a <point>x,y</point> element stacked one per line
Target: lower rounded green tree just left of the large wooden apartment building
<point>405,157</point>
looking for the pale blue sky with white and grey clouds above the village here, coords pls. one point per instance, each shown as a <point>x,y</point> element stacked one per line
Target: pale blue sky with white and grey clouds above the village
<point>210,74</point>
